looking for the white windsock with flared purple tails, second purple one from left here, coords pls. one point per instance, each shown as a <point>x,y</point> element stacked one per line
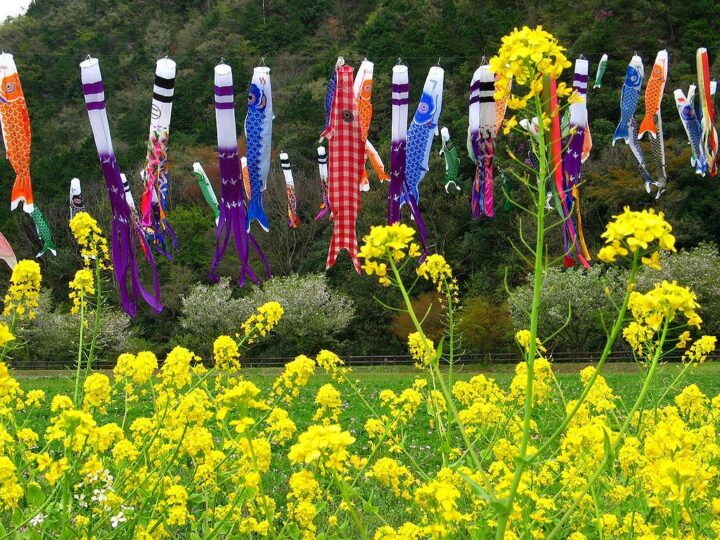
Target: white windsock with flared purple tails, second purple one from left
<point>233,212</point>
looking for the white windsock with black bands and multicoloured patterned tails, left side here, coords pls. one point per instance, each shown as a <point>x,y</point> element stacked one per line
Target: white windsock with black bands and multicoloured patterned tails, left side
<point>153,202</point>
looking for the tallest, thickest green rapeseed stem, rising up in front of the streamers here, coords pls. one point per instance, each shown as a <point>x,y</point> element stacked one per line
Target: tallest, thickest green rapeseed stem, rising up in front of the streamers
<point>521,461</point>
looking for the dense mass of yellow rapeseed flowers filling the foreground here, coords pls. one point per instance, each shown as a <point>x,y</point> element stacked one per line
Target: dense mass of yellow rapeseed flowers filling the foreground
<point>205,454</point>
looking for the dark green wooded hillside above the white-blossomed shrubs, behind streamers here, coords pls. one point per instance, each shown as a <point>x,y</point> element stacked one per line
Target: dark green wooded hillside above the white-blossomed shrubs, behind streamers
<point>300,40</point>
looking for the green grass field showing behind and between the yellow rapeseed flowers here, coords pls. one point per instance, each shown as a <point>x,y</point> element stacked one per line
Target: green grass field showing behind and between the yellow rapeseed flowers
<point>421,440</point>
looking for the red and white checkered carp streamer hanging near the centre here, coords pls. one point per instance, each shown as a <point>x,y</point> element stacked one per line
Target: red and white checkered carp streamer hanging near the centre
<point>346,158</point>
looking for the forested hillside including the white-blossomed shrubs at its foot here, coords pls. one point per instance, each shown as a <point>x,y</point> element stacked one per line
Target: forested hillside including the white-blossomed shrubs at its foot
<point>300,41</point>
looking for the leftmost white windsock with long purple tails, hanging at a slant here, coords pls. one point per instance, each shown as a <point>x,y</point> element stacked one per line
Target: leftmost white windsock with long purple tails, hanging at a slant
<point>123,221</point>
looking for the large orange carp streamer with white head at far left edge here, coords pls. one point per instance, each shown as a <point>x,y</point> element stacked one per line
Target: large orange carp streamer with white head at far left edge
<point>15,122</point>
